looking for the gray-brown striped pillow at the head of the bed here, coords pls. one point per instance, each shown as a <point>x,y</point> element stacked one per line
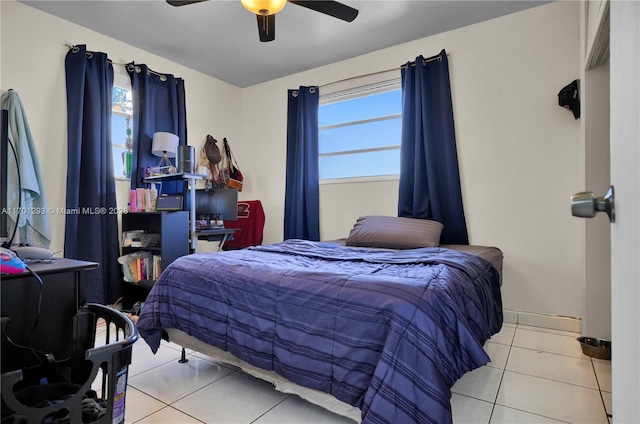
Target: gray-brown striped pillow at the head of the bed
<point>394,232</point>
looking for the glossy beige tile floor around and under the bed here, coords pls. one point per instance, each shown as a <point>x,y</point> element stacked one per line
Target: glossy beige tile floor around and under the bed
<point>536,375</point>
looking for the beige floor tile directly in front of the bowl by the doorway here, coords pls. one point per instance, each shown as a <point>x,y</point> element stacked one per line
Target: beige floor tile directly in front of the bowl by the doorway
<point>563,368</point>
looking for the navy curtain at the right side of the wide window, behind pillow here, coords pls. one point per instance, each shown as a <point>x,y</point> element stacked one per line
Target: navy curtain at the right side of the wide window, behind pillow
<point>429,175</point>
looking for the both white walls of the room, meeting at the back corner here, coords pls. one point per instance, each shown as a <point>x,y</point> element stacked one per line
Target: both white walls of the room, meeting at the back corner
<point>519,151</point>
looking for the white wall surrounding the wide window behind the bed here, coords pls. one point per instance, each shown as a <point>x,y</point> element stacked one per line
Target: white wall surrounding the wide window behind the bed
<point>519,151</point>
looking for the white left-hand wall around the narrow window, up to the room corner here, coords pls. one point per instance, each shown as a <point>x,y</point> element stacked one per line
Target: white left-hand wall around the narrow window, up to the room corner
<point>33,55</point>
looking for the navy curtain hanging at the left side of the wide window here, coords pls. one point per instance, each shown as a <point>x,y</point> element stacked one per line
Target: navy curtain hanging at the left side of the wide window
<point>302,198</point>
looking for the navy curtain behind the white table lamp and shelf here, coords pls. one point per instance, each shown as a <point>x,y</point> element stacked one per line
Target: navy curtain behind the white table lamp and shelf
<point>158,106</point>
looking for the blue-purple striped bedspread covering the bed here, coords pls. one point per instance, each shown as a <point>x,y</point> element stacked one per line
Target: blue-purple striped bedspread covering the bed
<point>386,331</point>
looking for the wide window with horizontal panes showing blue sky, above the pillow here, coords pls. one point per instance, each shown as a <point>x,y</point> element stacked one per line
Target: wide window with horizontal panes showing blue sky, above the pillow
<point>359,132</point>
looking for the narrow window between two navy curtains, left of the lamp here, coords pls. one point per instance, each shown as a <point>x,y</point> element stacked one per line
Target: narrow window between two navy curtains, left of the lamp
<point>121,124</point>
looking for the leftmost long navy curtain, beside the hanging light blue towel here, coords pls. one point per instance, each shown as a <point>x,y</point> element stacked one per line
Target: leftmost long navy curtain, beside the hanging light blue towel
<point>91,232</point>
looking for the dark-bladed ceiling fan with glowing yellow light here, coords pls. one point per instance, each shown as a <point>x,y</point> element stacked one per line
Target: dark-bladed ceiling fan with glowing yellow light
<point>266,10</point>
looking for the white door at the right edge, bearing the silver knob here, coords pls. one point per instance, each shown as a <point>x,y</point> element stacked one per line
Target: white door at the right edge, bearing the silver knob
<point>625,232</point>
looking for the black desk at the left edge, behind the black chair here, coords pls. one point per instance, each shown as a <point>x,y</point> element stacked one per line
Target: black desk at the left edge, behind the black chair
<point>61,298</point>
